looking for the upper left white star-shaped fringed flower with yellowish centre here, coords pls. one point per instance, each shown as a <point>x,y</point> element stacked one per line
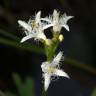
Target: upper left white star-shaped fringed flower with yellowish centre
<point>34,28</point>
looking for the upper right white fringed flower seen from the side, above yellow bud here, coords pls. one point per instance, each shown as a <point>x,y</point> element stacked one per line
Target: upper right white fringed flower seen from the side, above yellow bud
<point>57,21</point>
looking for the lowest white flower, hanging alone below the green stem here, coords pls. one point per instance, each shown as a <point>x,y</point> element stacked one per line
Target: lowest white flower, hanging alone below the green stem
<point>52,69</point>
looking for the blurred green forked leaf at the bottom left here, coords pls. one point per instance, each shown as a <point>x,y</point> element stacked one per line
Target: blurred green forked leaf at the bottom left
<point>25,88</point>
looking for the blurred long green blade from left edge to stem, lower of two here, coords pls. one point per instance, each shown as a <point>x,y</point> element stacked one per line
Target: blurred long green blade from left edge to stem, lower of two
<point>25,46</point>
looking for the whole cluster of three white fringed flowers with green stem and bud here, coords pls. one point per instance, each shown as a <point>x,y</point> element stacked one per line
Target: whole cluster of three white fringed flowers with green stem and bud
<point>35,28</point>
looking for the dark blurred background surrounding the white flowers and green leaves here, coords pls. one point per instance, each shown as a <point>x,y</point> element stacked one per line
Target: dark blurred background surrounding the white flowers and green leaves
<point>79,45</point>
